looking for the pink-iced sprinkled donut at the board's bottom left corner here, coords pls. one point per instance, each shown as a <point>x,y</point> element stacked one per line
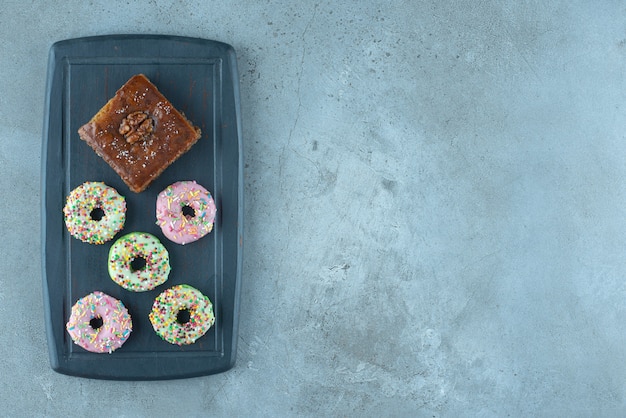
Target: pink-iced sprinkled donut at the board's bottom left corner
<point>99,323</point>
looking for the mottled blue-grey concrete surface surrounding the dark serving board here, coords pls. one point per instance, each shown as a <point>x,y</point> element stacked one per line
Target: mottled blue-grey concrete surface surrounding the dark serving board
<point>435,209</point>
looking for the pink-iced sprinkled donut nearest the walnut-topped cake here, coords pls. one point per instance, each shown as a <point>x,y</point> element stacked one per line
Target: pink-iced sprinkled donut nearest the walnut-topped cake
<point>185,212</point>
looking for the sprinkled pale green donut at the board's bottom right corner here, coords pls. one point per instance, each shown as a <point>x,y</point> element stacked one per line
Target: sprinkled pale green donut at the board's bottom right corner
<point>181,314</point>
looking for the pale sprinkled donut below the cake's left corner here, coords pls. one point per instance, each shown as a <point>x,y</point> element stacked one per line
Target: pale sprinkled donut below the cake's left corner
<point>94,212</point>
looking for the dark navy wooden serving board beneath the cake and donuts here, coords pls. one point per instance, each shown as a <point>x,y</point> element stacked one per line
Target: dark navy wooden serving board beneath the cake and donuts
<point>200,78</point>
